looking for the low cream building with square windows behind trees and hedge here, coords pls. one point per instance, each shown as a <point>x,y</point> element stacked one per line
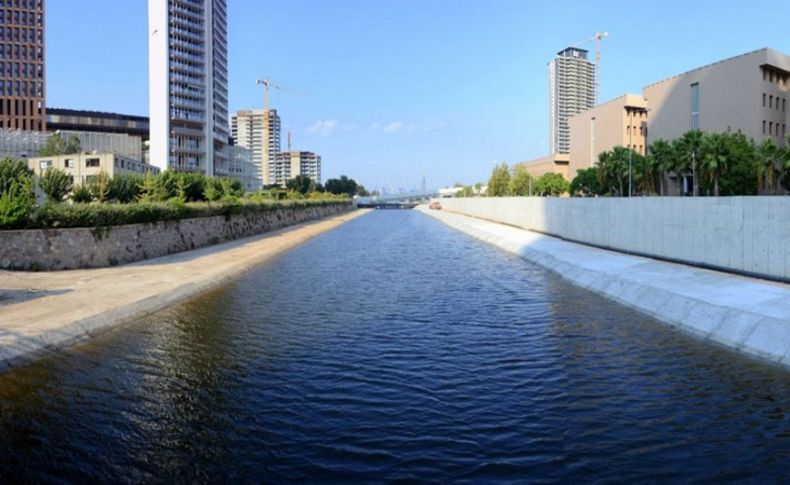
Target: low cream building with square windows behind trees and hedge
<point>85,166</point>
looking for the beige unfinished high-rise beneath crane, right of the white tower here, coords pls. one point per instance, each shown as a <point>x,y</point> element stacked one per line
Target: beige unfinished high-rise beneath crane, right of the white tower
<point>249,129</point>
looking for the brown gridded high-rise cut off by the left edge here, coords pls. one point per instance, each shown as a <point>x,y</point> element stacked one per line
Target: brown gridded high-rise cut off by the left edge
<point>22,105</point>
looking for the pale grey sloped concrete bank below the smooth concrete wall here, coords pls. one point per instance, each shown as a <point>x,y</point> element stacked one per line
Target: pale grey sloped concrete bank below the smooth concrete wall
<point>749,315</point>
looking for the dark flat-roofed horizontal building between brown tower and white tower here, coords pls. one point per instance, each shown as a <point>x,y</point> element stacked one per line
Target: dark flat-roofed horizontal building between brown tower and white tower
<point>96,121</point>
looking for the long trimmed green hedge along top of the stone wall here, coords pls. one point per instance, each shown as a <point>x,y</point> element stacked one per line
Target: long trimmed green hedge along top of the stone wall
<point>101,215</point>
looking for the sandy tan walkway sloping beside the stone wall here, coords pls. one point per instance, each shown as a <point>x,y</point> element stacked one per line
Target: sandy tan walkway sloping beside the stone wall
<point>40,312</point>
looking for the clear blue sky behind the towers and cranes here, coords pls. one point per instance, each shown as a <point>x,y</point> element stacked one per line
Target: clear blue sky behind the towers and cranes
<point>401,89</point>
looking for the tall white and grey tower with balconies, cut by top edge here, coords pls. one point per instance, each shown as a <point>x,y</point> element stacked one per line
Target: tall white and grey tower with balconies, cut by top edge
<point>188,83</point>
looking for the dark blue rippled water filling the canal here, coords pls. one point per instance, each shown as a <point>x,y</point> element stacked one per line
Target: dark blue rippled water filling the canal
<point>396,349</point>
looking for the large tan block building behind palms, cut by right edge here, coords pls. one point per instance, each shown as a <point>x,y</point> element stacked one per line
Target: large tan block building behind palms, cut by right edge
<point>746,93</point>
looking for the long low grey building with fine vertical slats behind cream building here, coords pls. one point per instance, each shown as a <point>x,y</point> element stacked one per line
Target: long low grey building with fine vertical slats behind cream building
<point>27,144</point>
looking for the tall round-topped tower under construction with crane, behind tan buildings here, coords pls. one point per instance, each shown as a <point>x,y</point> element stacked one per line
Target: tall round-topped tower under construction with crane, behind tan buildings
<point>571,91</point>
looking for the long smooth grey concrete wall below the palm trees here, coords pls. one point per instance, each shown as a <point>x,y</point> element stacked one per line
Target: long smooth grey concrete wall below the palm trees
<point>744,234</point>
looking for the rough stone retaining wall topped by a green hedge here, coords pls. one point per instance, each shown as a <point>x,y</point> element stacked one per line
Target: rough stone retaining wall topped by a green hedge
<point>60,249</point>
